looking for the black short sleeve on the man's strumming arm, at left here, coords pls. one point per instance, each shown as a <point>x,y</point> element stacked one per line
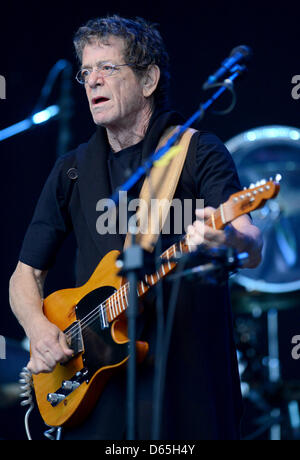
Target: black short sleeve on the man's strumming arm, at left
<point>50,224</point>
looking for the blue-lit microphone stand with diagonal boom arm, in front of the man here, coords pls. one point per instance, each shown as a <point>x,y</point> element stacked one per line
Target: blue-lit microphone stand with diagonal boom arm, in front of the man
<point>133,256</point>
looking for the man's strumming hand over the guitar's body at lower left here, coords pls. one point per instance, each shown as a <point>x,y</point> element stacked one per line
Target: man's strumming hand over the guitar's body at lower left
<point>48,347</point>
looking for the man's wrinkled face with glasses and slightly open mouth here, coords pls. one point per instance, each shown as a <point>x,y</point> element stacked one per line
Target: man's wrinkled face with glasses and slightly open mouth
<point>115,101</point>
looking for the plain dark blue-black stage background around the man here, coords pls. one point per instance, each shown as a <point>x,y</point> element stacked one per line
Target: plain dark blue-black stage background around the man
<point>198,36</point>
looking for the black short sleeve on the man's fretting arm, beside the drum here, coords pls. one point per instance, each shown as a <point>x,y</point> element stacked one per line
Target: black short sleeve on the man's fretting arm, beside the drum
<point>216,174</point>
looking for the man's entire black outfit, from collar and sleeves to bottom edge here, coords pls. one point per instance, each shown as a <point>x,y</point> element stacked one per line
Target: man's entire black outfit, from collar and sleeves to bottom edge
<point>202,399</point>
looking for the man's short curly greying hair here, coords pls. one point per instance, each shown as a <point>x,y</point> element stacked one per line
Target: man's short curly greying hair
<point>143,47</point>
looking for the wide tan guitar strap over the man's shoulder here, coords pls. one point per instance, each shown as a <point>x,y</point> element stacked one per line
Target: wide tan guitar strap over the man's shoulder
<point>161,185</point>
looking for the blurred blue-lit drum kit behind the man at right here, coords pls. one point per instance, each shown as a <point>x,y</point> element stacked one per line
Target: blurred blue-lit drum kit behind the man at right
<point>266,300</point>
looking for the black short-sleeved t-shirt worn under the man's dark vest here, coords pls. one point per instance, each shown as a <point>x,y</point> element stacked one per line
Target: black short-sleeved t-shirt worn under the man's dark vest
<point>209,174</point>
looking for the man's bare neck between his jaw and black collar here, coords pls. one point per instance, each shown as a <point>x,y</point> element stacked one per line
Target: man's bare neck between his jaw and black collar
<point>120,137</point>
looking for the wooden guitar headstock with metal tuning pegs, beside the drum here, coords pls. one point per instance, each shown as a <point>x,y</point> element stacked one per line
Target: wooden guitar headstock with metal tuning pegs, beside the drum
<point>255,196</point>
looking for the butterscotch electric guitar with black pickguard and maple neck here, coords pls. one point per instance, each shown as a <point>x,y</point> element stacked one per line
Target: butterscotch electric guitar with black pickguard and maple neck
<point>93,319</point>
